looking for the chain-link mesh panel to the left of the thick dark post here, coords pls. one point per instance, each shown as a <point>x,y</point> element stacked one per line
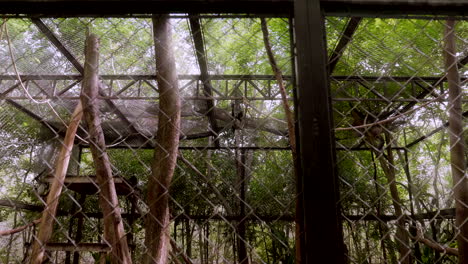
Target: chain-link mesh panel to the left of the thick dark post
<point>231,197</point>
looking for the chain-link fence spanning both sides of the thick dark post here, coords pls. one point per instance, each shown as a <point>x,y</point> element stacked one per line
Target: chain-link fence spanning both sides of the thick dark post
<point>219,186</point>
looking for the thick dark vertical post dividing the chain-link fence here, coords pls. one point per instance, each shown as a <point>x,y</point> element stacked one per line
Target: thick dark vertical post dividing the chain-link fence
<point>320,235</point>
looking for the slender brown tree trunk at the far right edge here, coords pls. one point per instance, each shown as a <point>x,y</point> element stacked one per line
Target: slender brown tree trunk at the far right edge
<point>457,142</point>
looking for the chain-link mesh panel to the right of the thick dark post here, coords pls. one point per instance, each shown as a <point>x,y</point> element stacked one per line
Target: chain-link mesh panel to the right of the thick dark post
<point>391,105</point>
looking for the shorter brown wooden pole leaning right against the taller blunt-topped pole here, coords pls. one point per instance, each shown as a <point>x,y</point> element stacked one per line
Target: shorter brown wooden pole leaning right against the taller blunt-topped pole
<point>48,216</point>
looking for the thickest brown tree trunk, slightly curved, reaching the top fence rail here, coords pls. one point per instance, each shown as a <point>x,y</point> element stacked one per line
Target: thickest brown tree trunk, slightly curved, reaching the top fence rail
<point>167,141</point>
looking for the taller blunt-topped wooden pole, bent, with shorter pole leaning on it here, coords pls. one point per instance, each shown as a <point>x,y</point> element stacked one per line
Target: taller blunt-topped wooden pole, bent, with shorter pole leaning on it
<point>113,227</point>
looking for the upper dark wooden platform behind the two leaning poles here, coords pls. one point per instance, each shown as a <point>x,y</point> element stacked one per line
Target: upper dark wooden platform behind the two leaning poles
<point>87,184</point>
